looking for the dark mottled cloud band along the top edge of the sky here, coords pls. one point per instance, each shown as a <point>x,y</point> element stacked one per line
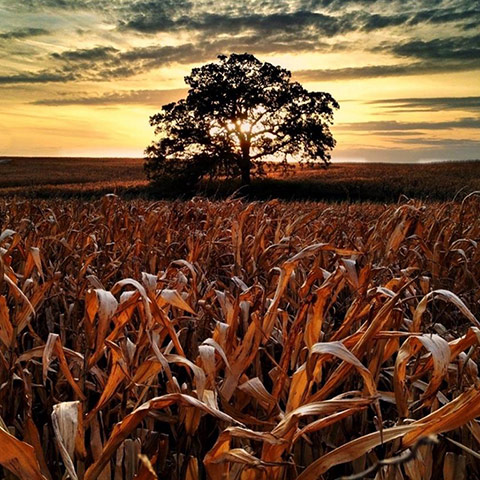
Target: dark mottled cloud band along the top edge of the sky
<point>322,17</point>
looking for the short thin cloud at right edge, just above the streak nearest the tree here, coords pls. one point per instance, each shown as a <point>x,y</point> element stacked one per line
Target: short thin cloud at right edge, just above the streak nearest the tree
<point>429,104</point>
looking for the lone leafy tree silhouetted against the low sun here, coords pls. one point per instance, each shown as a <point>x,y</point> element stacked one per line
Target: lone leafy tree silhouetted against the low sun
<point>238,112</point>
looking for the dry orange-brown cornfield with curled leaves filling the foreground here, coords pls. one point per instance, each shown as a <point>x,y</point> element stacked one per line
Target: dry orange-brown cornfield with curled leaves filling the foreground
<point>226,340</point>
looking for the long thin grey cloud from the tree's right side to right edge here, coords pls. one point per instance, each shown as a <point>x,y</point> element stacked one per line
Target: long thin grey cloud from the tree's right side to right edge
<point>391,126</point>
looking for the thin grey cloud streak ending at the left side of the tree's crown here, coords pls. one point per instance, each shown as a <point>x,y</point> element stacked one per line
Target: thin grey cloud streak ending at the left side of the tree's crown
<point>155,98</point>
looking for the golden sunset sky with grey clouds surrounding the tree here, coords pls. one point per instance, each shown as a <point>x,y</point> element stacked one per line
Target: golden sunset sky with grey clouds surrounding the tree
<point>82,77</point>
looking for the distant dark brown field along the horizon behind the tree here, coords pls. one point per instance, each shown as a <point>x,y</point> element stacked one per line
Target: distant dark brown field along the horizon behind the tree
<point>45,177</point>
